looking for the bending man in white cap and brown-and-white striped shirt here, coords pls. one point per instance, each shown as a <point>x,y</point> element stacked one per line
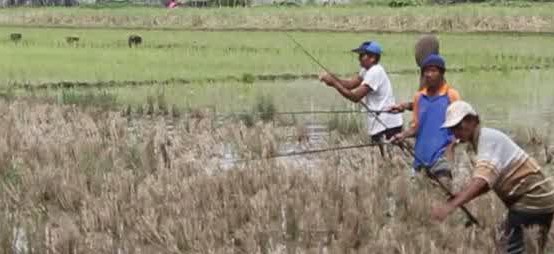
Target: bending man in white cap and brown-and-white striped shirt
<point>502,166</point>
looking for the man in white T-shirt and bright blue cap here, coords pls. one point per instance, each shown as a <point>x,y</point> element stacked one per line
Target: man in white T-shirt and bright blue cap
<point>373,84</point>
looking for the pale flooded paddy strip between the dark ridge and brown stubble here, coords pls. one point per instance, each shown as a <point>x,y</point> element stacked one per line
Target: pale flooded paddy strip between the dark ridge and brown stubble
<point>507,100</point>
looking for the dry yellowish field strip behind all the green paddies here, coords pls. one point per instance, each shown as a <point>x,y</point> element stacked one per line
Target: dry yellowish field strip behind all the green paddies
<point>504,17</point>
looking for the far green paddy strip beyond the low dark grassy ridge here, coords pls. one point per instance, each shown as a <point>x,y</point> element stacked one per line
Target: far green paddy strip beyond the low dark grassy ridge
<point>101,55</point>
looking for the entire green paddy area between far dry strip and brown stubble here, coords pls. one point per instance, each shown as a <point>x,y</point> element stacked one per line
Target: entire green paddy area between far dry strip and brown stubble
<point>194,69</point>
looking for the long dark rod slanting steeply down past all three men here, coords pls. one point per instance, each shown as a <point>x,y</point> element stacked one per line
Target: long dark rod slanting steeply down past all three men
<point>402,145</point>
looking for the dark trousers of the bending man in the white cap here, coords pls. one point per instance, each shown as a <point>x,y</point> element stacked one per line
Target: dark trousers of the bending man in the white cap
<point>512,241</point>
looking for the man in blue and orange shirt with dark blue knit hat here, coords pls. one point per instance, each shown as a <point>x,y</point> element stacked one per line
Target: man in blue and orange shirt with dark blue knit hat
<point>433,143</point>
